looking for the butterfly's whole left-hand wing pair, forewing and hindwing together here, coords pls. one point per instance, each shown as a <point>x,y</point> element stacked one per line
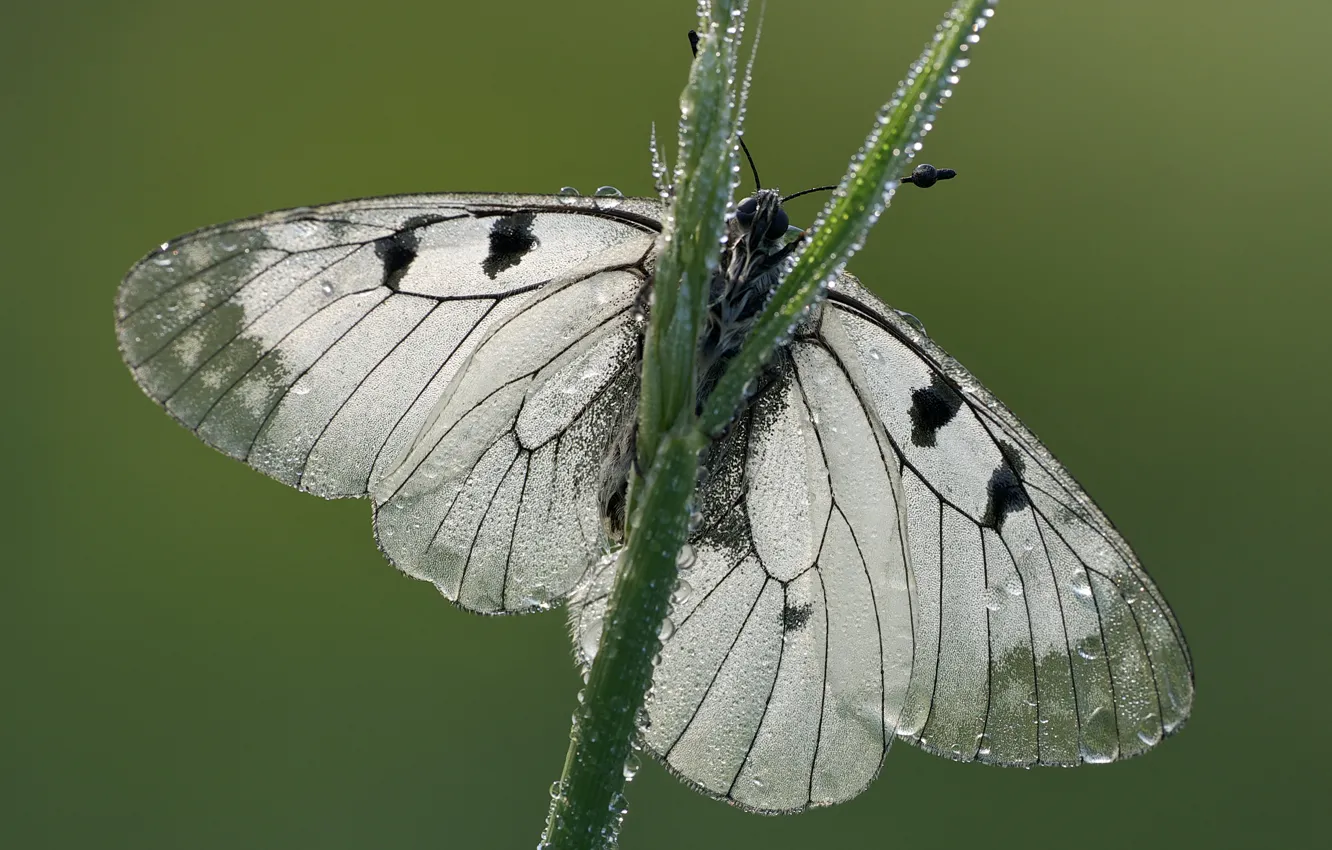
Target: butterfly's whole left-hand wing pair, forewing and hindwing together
<point>334,350</point>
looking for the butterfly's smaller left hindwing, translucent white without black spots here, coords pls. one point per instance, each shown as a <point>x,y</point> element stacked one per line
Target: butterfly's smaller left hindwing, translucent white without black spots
<point>499,502</point>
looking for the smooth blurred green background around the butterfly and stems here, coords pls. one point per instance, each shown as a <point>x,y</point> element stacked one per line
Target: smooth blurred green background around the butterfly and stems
<point>1134,259</point>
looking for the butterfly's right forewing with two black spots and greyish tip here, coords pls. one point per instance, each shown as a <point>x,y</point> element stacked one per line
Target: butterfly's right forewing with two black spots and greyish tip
<point>1040,637</point>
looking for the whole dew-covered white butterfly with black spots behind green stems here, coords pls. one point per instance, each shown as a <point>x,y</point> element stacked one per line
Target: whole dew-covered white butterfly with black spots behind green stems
<point>884,548</point>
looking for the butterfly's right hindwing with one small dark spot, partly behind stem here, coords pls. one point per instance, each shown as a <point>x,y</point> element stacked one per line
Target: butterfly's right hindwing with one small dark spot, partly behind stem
<point>792,652</point>
